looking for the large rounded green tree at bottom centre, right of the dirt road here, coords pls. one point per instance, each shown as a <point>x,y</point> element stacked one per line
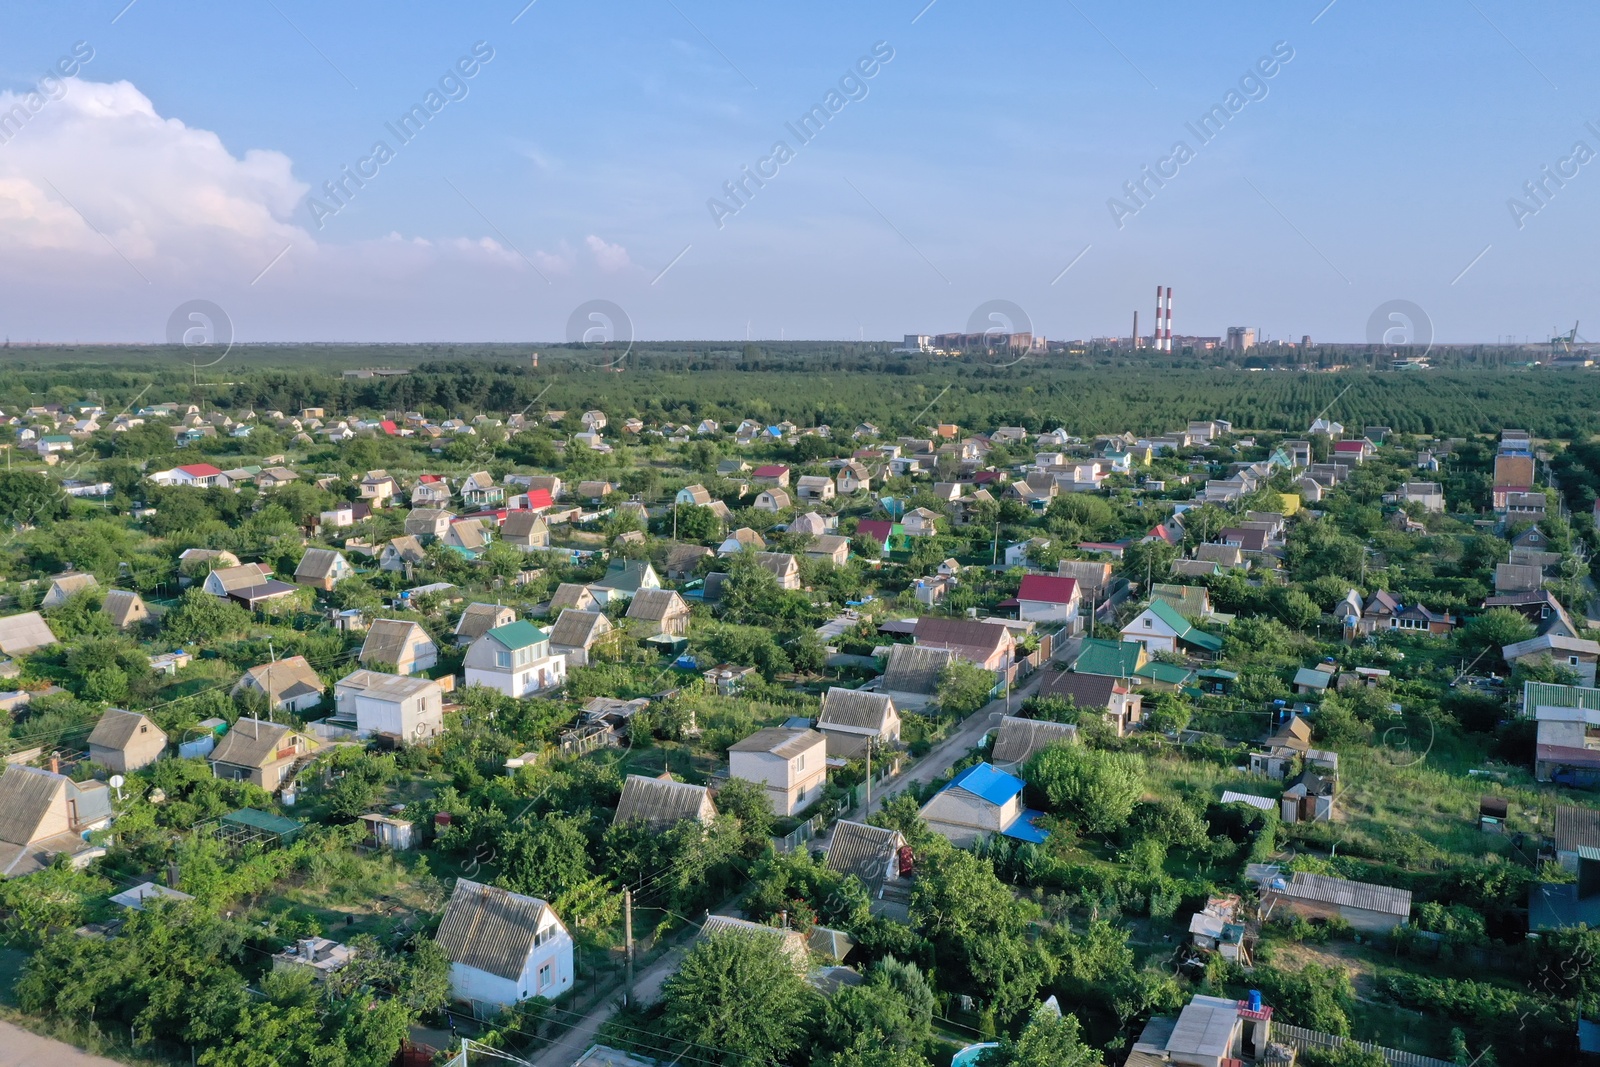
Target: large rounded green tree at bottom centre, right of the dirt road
<point>740,997</point>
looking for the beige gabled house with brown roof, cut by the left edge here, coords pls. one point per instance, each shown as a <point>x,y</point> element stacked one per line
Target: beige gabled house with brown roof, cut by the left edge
<point>46,815</point>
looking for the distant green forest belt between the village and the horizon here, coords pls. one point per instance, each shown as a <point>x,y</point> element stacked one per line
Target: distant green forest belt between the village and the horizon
<point>810,385</point>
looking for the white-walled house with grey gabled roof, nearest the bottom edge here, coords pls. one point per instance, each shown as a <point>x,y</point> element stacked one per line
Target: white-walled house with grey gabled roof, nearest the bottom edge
<point>503,946</point>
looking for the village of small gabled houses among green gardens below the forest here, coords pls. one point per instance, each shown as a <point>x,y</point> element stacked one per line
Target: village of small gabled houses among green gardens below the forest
<point>1202,748</point>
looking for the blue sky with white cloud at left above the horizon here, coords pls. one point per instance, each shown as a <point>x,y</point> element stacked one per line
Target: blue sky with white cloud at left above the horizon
<point>977,164</point>
